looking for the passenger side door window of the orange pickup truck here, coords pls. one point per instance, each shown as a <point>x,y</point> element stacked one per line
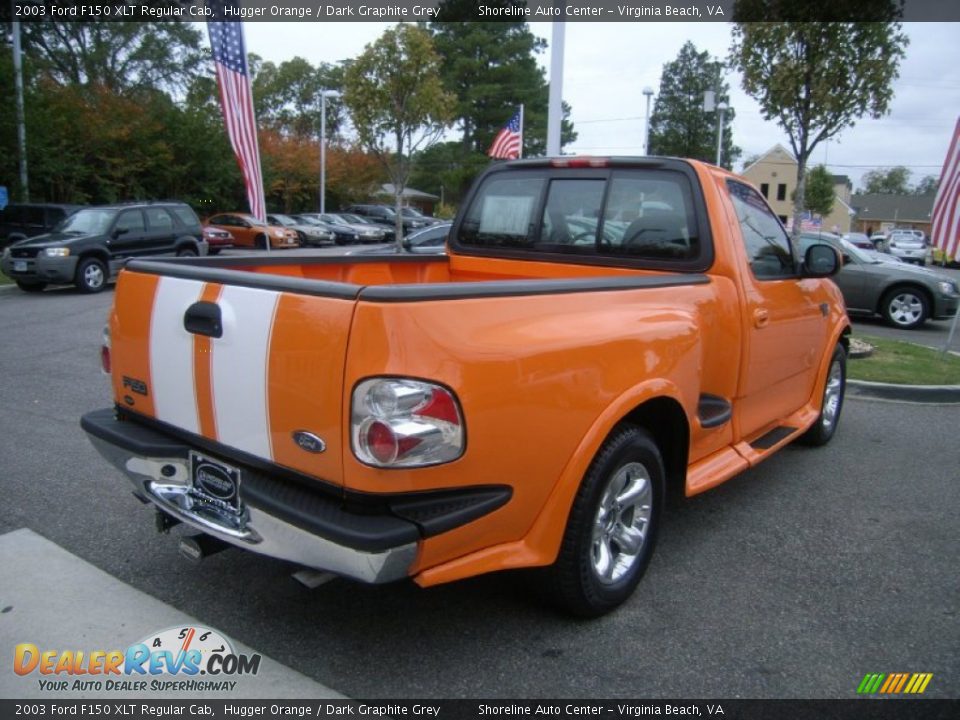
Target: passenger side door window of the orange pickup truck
<point>767,244</point>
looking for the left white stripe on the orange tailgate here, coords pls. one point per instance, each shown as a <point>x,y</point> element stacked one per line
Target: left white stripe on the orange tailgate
<point>171,354</point>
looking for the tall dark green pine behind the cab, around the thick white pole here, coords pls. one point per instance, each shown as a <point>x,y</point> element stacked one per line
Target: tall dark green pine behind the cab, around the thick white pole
<point>491,68</point>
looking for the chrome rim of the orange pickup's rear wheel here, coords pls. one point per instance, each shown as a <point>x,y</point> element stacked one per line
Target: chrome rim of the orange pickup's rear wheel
<point>622,523</point>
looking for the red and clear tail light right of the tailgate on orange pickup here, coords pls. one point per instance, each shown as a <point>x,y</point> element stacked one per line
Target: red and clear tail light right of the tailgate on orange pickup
<point>398,422</point>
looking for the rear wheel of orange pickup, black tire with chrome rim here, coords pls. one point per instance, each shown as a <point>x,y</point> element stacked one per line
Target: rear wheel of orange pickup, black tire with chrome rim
<point>580,581</point>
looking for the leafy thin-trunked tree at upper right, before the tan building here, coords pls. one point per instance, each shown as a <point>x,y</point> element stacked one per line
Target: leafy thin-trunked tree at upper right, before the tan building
<point>816,78</point>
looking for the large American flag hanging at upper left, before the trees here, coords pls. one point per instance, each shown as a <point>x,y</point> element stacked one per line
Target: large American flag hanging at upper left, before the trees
<point>236,99</point>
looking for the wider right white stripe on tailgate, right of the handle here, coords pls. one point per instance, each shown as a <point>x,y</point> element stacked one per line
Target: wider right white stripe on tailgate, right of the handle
<point>240,369</point>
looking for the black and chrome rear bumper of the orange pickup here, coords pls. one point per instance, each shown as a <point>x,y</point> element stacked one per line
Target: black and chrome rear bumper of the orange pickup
<point>366,537</point>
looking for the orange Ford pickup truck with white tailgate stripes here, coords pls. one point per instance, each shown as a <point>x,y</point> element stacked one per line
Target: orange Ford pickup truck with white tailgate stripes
<point>603,332</point>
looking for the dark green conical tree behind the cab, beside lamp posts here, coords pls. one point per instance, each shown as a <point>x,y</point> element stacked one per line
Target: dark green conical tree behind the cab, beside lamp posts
<point>678,125</point>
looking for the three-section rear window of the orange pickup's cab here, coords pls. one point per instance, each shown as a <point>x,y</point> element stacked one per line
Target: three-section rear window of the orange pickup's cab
<point>641,215</point>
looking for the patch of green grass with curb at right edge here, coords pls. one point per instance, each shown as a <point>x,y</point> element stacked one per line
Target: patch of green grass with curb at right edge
<point>905,364</point>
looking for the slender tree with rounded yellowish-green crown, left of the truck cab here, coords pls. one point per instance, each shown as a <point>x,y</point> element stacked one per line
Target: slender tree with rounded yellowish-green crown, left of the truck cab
<point>397,102</point>
